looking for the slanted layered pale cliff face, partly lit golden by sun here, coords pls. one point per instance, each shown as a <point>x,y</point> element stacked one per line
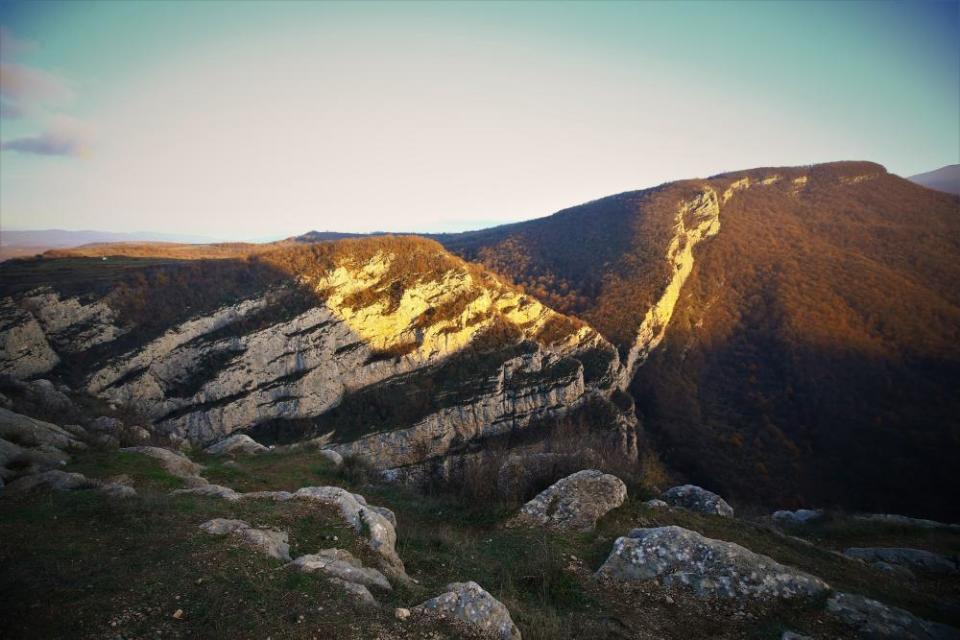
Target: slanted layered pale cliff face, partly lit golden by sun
<point>467,356</point>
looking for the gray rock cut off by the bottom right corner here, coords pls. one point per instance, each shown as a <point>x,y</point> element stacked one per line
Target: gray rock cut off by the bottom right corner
<point>876,621</point>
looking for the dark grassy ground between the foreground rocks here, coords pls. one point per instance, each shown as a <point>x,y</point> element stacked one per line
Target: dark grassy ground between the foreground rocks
<point>75,564</point>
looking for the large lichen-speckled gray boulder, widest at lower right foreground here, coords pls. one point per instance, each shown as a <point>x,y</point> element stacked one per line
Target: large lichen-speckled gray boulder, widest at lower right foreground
<point>711,568</point>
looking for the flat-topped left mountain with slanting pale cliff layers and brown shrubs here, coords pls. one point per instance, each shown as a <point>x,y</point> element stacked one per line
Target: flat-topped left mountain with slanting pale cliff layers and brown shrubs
<point>389,348</point>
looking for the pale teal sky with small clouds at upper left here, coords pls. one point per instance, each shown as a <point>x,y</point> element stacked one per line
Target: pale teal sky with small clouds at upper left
<point>249,120</point>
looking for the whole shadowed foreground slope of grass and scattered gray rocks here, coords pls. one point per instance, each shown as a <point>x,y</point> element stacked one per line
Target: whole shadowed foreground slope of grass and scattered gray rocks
<point>108,535</point>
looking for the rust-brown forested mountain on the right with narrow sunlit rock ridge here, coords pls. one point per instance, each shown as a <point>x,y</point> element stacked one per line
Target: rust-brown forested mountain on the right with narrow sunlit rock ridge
<point>792,333</point>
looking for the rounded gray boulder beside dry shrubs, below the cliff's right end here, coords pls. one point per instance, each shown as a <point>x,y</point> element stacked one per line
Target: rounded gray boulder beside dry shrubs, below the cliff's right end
<point>574,503</point>
